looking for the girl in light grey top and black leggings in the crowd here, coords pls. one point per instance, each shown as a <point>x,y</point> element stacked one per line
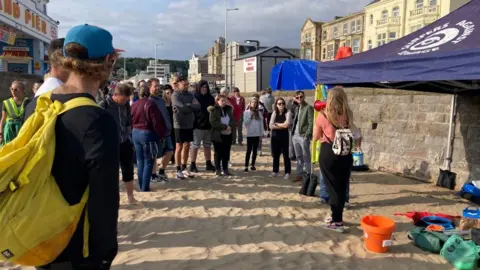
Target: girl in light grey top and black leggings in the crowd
<point>253,120</point>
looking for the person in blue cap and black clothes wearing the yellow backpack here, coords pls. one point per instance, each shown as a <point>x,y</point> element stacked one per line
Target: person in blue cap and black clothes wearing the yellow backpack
<point>87,148</point>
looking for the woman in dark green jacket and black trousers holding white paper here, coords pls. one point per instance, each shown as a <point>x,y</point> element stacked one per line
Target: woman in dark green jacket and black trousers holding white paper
<point>222,122</point>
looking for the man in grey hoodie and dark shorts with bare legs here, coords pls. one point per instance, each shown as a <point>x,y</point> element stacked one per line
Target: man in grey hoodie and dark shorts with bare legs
<point>184,105</point>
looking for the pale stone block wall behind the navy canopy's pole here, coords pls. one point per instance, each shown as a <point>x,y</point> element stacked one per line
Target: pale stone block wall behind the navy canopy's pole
<point>412,132</point>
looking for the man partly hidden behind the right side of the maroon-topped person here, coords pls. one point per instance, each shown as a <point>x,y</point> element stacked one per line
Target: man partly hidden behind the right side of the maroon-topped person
<point>165,148</point>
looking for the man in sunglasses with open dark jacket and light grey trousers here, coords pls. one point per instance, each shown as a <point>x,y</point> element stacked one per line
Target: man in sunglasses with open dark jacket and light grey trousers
<point>302,131</point>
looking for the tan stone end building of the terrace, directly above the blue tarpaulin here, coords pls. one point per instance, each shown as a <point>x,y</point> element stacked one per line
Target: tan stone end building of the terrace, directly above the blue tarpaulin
<point>310,40</point>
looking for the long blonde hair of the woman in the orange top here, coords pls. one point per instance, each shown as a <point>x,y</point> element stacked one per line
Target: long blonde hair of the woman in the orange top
<point>337,105</point>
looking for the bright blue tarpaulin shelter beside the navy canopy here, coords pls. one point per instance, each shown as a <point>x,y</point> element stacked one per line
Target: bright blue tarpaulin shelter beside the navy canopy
<point>293,75</point>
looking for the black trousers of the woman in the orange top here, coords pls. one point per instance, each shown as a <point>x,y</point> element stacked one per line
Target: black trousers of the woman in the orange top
<point>336,171</point>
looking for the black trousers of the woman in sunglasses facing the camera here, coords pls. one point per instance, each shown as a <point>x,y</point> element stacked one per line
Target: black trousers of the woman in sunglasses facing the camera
<point>280,146</point>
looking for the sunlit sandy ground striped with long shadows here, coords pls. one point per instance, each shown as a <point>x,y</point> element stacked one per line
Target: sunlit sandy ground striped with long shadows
<point>250,221</point>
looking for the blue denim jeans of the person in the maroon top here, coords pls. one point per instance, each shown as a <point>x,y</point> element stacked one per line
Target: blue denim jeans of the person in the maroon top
<point>146,147</point>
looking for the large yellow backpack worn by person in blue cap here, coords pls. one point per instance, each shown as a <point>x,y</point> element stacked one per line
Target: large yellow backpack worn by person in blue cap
<point>36,222</point>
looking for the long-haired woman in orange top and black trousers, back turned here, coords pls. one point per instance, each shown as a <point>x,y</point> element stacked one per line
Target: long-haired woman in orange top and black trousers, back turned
<point>336,169</point>
